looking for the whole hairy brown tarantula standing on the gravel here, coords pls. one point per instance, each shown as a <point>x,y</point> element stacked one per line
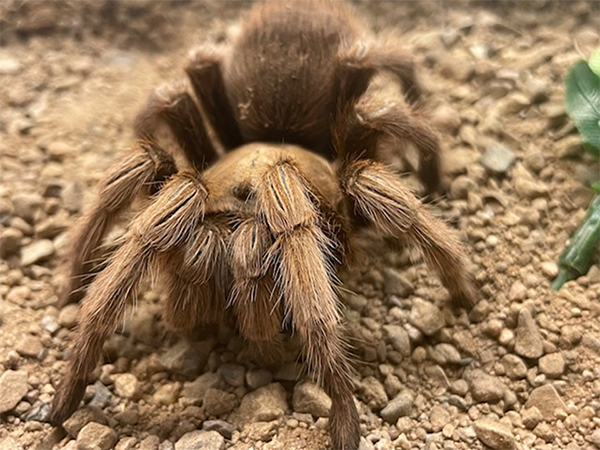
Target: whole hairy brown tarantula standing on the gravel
<point>280,143</point>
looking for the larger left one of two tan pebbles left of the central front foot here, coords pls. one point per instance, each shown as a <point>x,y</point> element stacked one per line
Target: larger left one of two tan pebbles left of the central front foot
<point>263,405</point>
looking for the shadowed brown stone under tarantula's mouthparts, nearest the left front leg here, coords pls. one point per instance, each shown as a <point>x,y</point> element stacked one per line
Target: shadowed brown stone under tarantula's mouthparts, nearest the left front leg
<point>187,358</point>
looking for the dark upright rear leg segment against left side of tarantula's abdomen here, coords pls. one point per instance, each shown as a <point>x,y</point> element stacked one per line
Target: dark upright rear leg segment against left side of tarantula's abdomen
<point>205,73</point>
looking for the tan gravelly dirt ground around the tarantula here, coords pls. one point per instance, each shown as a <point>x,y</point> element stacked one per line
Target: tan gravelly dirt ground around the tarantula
<point>520,371</point>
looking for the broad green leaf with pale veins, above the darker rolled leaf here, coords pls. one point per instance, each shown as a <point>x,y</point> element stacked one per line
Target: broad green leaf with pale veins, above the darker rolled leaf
<point>583,104</point>
